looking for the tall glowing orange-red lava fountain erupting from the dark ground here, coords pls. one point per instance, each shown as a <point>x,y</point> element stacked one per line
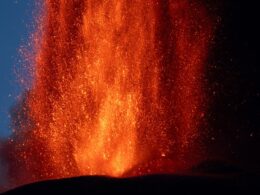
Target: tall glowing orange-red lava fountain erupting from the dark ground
<point>117,90</point>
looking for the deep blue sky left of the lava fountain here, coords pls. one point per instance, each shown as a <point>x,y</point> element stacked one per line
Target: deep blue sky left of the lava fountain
<point>16,18</point>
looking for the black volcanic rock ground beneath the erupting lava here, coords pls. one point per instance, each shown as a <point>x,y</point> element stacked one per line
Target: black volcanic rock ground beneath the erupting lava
<point>153,184</point>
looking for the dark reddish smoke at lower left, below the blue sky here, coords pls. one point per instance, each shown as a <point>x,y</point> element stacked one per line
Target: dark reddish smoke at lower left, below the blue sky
<point>10,168</point>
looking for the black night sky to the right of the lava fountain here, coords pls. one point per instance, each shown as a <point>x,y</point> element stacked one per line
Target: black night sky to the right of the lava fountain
<point>234,111</point>
